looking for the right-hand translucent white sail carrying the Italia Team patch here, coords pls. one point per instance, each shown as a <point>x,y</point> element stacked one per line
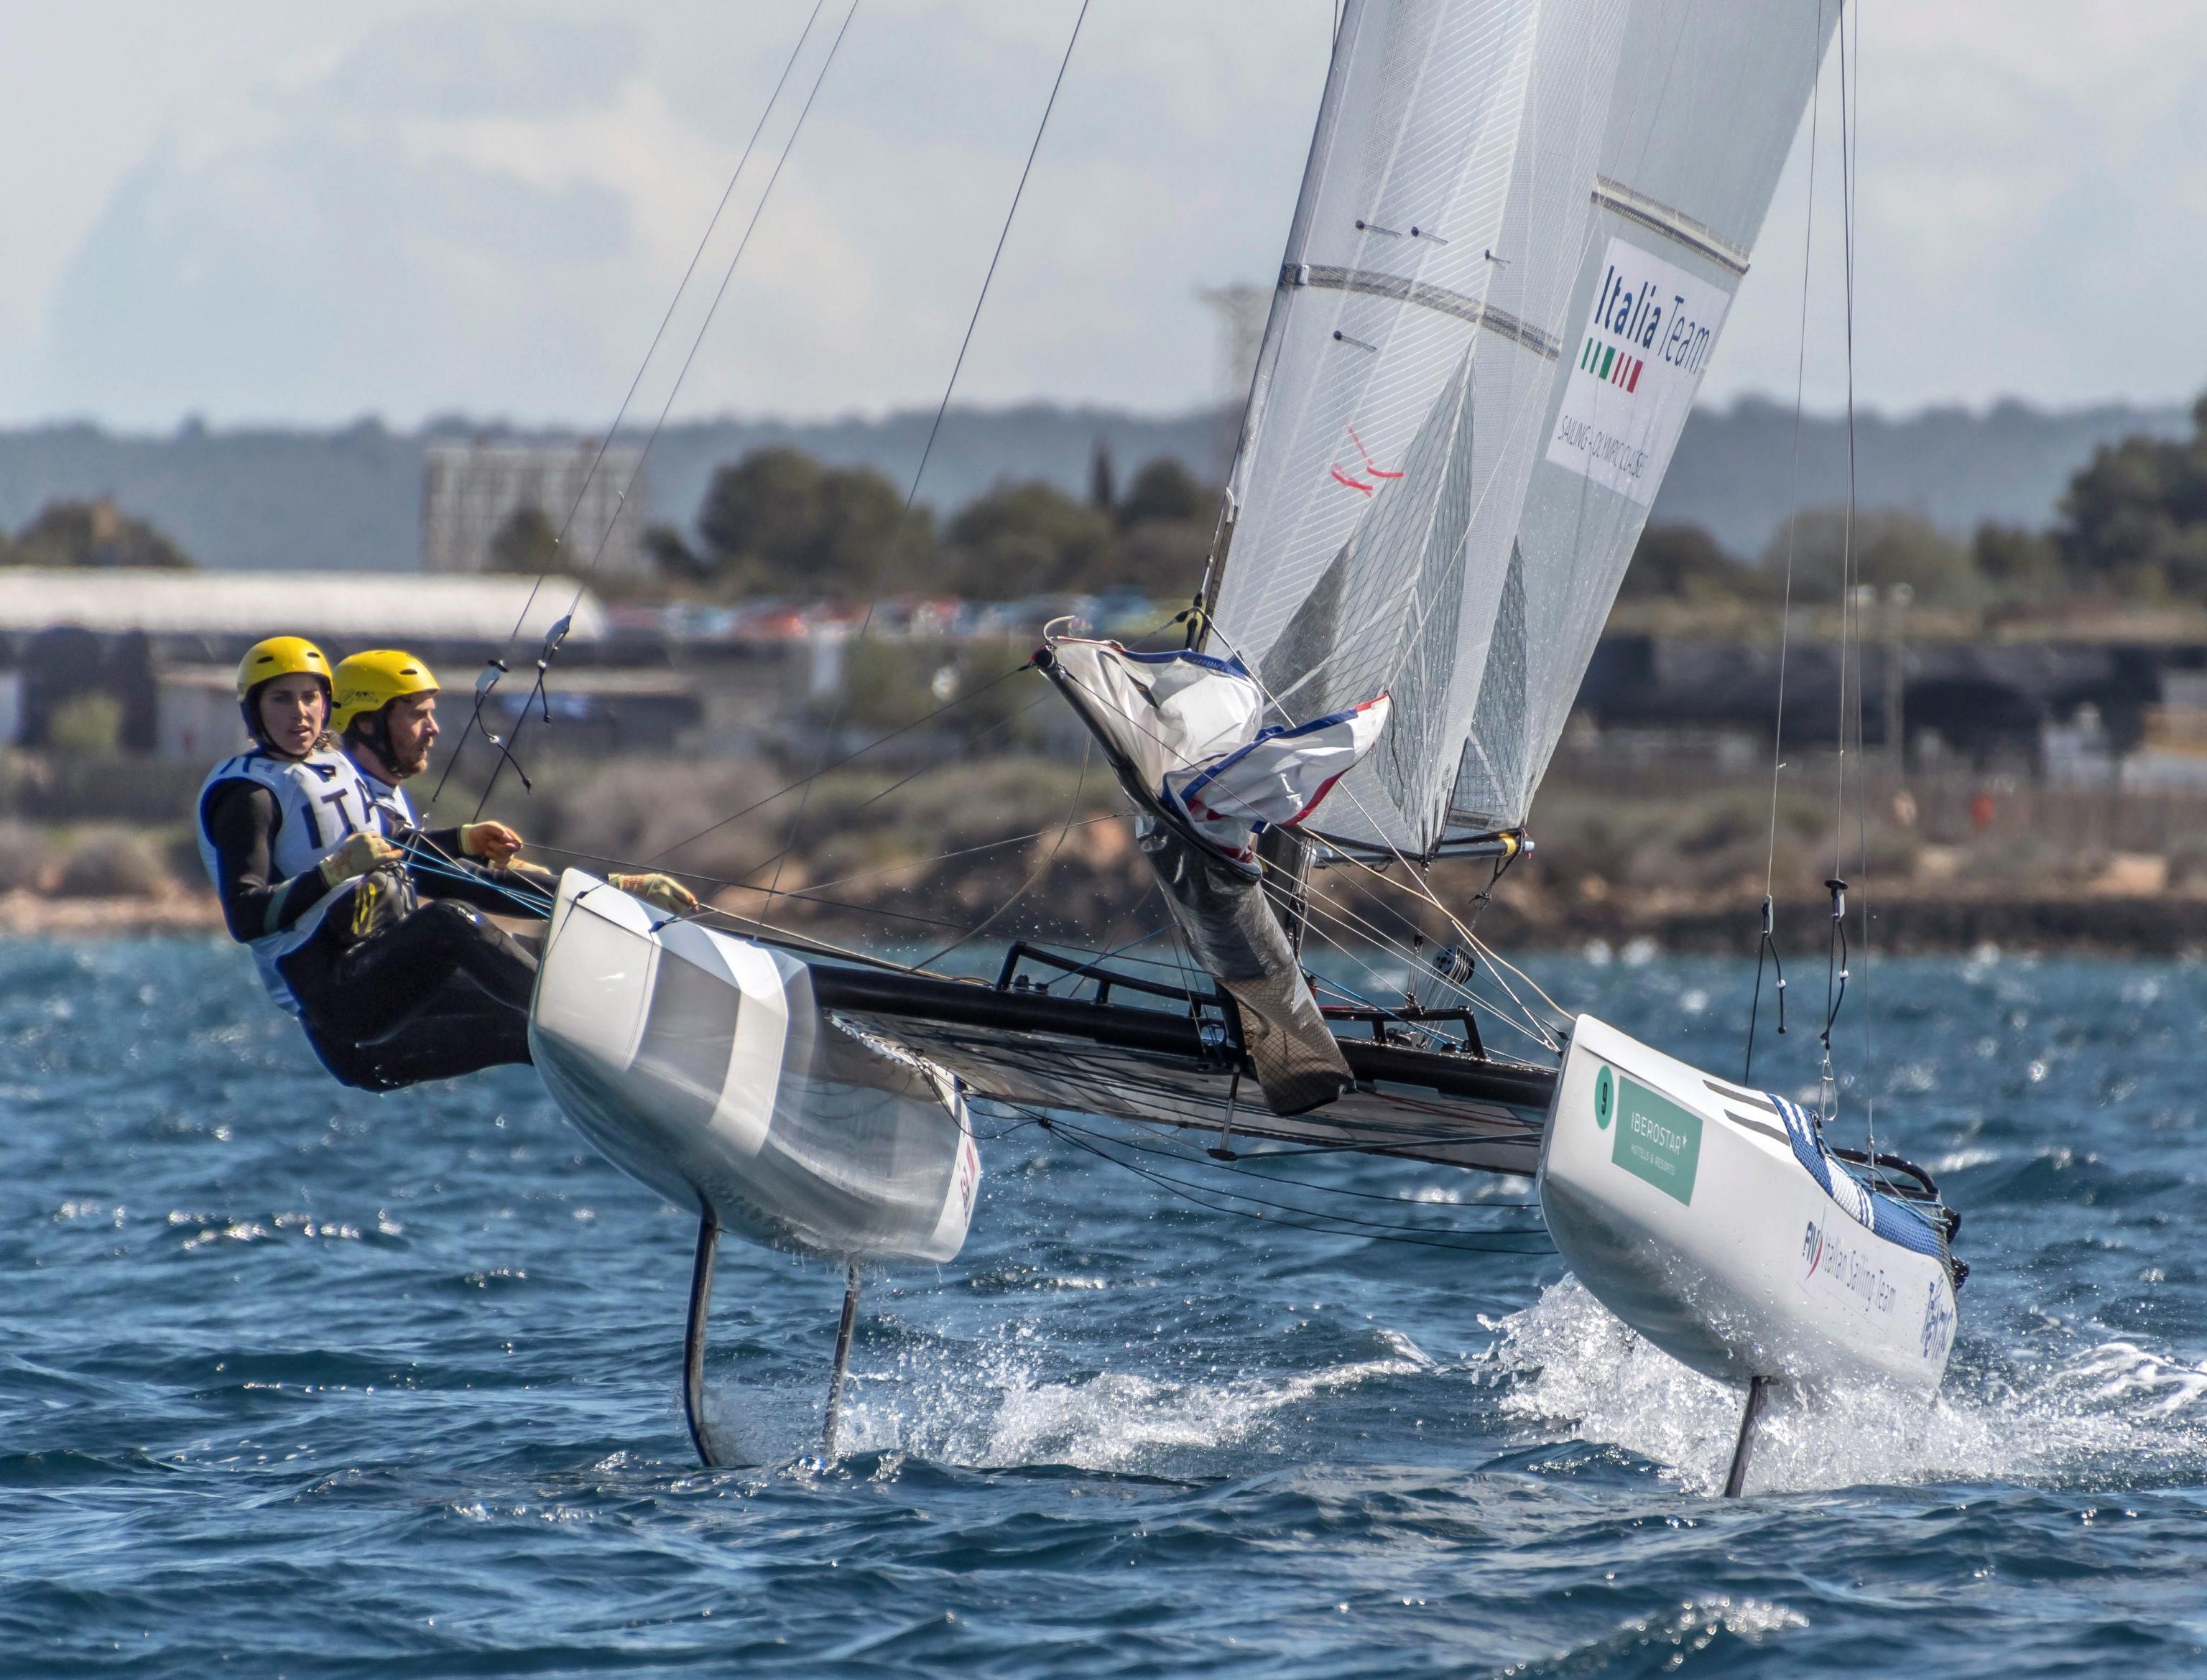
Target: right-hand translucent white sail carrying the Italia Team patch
<point>1705,107</point>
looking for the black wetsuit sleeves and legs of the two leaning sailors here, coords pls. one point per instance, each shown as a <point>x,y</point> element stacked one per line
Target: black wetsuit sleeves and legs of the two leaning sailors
<point>392,990</point>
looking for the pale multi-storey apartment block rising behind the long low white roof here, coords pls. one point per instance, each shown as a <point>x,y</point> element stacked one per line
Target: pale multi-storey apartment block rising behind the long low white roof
<point>469,491</point>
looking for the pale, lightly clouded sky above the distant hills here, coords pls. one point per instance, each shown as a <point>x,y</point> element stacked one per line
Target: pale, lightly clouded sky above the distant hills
<point>303,213</point>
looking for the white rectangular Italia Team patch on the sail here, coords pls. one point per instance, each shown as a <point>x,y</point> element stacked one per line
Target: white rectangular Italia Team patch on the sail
<point>1648,339</point>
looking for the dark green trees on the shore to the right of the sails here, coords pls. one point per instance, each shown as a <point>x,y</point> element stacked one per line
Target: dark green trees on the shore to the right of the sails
<point>2131,527</point>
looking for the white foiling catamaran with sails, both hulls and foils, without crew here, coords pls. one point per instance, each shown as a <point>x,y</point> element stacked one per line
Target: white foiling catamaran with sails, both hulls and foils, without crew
<point>1517,242</point>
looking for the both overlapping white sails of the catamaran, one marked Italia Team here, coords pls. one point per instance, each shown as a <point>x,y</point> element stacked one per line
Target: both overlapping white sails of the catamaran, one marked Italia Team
<point>1517,240</point>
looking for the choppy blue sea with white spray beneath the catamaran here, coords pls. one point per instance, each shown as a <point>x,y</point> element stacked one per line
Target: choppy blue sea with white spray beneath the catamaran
<point>310,1383</point>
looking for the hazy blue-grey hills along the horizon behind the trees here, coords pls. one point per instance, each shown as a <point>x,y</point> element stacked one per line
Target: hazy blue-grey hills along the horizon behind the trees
<point>352,498</point>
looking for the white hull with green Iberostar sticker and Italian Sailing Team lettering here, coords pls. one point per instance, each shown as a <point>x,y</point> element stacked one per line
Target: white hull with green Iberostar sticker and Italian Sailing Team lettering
<point>1685,1209</point>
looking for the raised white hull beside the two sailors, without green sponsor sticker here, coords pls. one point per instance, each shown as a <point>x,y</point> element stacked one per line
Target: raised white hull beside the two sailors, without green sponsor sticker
<point>701,1065</point>
